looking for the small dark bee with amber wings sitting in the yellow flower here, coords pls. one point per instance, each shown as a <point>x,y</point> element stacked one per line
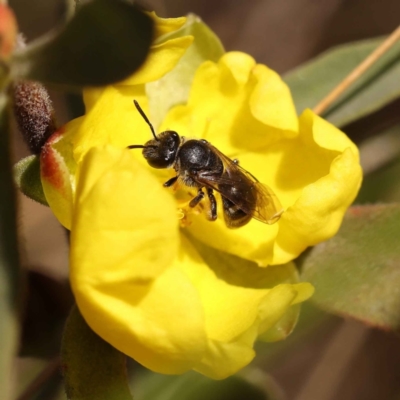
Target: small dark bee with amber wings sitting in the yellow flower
<point>198,164</point>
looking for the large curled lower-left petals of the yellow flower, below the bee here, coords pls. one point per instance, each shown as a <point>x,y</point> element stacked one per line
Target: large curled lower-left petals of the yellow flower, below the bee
<point>168,301</point>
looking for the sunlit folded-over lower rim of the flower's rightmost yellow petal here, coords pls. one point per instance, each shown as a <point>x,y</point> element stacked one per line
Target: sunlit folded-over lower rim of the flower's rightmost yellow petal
<point>317,214</point>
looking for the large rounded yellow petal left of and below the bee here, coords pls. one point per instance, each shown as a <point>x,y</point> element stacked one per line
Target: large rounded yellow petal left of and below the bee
<point>124,241</point>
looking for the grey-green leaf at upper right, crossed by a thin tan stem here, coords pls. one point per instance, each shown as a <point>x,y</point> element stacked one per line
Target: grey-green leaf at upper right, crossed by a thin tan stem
<point>380,85</point>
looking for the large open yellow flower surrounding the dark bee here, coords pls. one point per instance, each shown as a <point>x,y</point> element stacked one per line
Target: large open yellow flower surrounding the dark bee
<point>176,298</point>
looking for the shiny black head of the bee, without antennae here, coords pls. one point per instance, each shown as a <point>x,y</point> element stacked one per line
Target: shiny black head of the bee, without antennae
<point>161,152</point>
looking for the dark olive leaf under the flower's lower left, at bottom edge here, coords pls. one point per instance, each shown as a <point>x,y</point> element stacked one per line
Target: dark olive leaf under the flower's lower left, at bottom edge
<point>92,368</point>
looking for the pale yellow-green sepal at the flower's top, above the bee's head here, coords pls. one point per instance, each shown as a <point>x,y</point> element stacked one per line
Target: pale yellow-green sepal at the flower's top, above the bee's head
<point>174,87</point>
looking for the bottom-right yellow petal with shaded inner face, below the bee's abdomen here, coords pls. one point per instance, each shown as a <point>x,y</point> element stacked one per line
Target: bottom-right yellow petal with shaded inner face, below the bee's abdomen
<point>240,301</point>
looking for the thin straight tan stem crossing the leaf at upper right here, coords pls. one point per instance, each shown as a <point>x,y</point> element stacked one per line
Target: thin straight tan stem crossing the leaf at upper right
<point>357,72</point>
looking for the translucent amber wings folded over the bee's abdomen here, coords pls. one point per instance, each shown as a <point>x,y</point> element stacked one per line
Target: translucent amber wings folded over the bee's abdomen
<point>267,208</point>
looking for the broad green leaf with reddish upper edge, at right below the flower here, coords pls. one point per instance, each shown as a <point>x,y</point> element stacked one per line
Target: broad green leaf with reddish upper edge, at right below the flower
<point>356,273</point>
